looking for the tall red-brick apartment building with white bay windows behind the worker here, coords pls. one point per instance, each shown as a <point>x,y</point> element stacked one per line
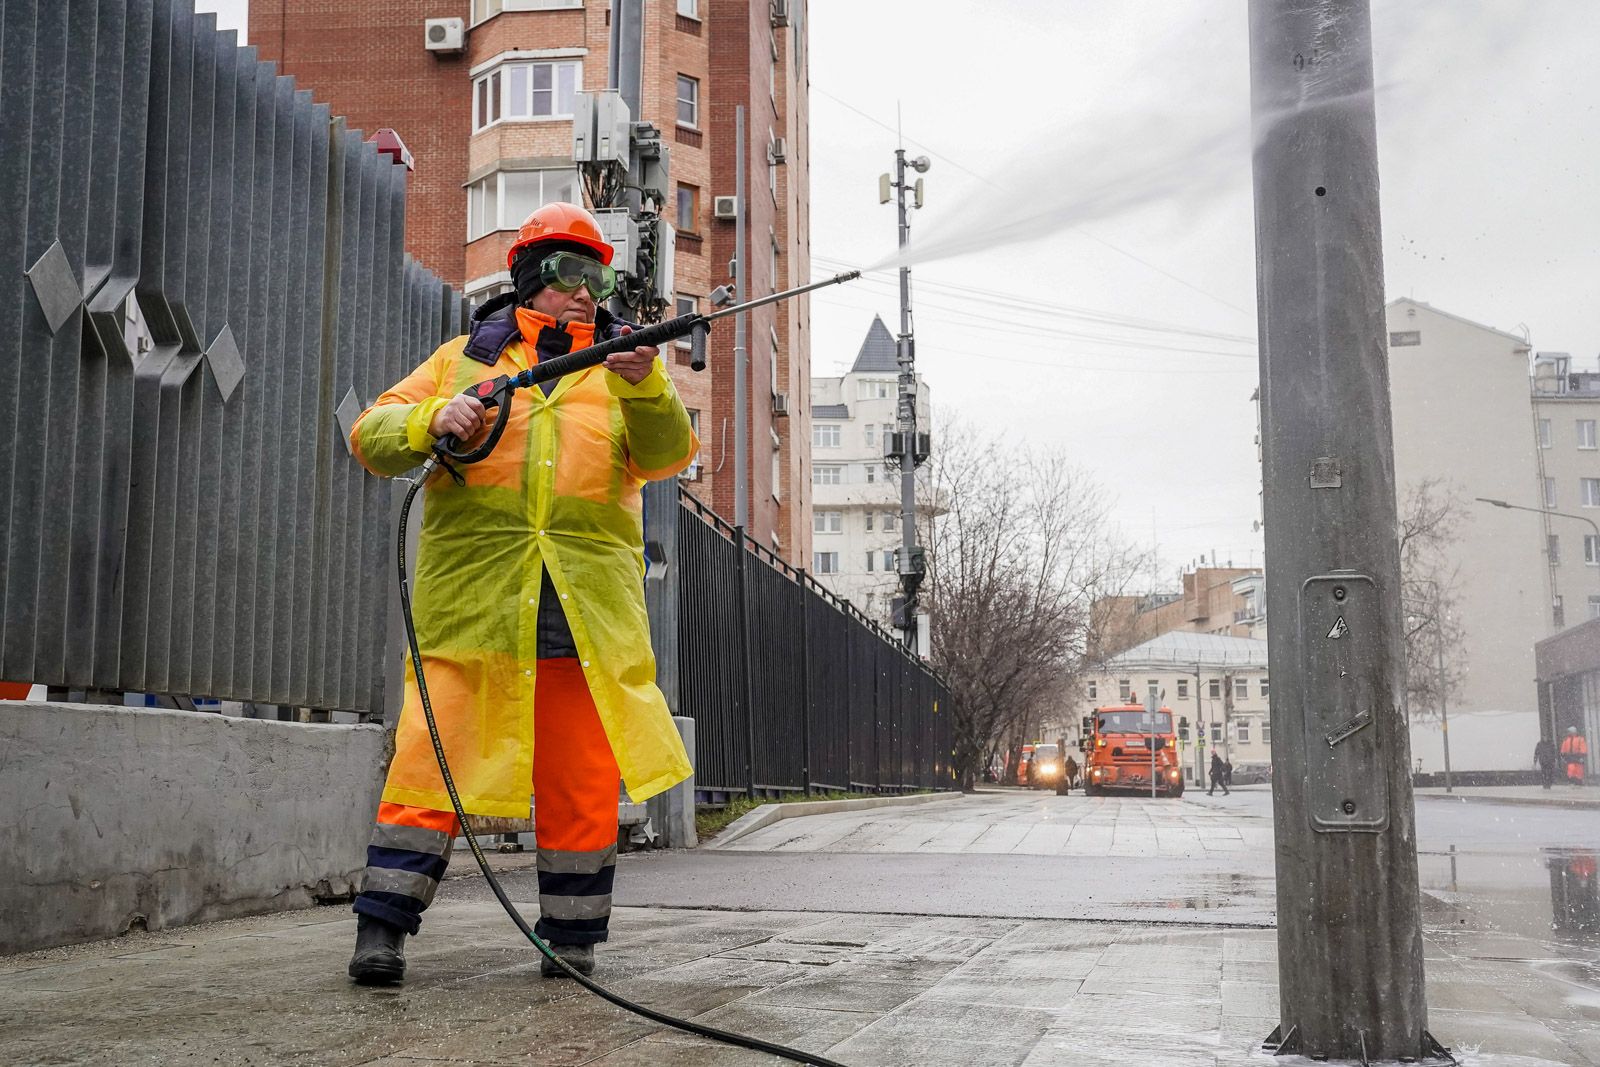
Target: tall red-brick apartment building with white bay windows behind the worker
<point>492,140</point>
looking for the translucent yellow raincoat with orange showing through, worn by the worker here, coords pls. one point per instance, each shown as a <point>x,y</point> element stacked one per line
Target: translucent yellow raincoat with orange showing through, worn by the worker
<point>561,492</point>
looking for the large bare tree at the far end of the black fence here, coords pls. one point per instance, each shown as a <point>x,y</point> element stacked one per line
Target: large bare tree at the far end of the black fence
<point>1018,551</point>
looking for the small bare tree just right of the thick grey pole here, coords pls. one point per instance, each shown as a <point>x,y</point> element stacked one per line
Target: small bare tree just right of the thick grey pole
<point>1431,518</point>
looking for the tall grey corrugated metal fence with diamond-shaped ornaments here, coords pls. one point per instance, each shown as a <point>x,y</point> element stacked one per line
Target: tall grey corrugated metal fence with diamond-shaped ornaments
<point>206,279</point>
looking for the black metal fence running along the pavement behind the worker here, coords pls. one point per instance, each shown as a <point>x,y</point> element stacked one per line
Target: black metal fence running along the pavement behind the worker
<point>791,687</point>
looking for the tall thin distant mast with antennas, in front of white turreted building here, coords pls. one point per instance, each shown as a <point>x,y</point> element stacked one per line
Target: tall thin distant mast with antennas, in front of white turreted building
<point>905,449</point>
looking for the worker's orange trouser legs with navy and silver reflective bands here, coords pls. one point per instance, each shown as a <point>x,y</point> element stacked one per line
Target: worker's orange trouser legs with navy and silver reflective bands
<point>575,786</point>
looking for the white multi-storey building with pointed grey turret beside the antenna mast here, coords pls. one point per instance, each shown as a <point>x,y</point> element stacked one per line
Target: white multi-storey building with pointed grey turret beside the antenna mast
<point>855,494</point>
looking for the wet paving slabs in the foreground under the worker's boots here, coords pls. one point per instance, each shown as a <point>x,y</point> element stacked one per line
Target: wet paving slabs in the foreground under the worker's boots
<point>866,989</point>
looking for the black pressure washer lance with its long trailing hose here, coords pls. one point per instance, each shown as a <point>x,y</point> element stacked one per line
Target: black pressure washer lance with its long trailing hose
<point>498,393</point>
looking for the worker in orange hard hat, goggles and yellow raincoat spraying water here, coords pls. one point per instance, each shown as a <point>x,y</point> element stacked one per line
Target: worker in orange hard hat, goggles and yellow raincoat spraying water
<point>530,604</point>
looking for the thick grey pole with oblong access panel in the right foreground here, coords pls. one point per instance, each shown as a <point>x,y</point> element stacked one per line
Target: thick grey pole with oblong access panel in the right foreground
<point>1350,917</point>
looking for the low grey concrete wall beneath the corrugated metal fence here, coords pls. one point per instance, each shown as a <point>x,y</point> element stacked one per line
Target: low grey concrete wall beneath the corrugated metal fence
<point>145,818</point>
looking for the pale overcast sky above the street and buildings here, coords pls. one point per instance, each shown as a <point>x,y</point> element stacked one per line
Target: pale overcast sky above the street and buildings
<point>1033,111</point>
